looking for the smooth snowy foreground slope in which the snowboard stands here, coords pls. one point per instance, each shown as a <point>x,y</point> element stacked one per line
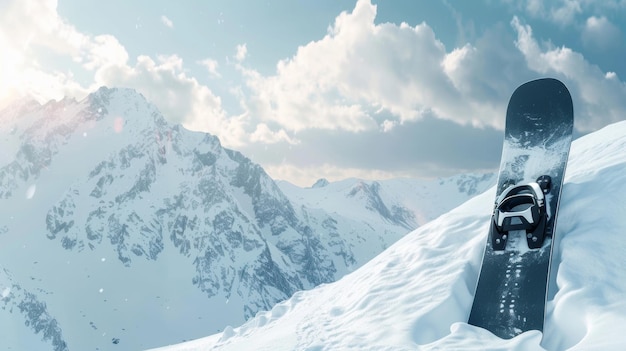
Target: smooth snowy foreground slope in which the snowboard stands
<point>418,293</point>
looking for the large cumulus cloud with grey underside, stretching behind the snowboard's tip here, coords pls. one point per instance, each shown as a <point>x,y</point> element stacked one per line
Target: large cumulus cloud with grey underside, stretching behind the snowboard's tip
<point>362,85</point>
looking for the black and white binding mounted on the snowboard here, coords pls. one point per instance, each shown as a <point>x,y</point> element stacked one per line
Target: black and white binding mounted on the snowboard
<point>521,207</point>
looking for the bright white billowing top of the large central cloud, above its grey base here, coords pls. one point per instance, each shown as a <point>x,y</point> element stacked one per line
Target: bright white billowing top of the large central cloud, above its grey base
<point>345,80</point>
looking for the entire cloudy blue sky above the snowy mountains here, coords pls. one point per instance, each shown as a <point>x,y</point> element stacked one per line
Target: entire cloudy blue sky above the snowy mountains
<point>330,88</point>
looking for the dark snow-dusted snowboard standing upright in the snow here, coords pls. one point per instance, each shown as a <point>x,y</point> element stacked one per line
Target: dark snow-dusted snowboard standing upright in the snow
<point>511,292</point>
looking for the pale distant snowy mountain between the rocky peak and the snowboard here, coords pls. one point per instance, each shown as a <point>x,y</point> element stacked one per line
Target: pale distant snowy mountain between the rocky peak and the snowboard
<point>406,202</point>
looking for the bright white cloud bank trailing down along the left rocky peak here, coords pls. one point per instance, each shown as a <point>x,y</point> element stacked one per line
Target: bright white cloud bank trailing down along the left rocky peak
<point>164,81</point>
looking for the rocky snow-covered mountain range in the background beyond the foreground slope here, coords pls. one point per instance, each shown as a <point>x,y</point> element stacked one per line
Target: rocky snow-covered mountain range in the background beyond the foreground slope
<point>122,230</point>
